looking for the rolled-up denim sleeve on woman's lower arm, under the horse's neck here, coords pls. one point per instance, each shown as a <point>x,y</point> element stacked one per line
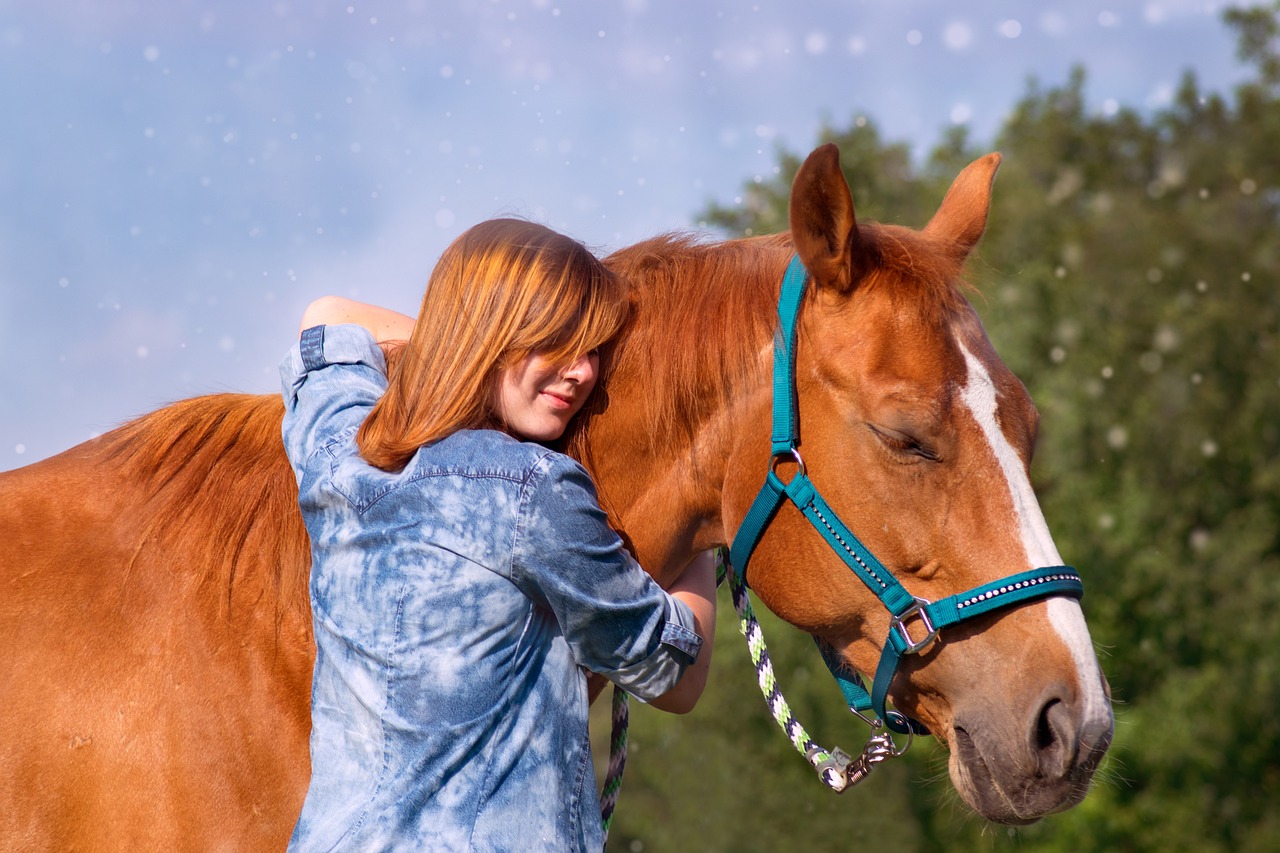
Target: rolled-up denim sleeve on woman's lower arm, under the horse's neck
<point>619,622</point>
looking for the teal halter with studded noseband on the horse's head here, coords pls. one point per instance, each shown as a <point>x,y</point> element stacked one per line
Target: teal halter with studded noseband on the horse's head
<point>903,606</point>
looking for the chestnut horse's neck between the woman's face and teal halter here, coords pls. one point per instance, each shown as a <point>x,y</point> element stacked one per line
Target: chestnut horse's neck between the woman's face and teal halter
<point>696,353</point>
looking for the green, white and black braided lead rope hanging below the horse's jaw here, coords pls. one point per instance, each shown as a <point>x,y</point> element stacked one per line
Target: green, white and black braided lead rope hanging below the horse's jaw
<point>834,767</point>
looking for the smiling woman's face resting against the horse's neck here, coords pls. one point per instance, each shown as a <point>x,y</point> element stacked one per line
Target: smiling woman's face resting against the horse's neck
<point>537,399</point>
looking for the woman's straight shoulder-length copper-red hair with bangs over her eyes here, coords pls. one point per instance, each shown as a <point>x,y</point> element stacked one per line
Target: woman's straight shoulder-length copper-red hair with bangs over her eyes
<point>504,290</point>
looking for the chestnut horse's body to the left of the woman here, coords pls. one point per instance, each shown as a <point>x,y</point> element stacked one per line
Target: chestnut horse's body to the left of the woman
<point>158,656</point>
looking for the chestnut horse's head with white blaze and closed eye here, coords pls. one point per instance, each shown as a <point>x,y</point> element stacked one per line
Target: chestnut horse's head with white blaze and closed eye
<point>917,434</point>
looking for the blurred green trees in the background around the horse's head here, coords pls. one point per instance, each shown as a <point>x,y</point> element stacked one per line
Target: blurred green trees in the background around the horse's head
<point>1130,276</point>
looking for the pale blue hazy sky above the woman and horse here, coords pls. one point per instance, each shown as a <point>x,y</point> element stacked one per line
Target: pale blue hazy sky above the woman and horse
<point>179,179</point>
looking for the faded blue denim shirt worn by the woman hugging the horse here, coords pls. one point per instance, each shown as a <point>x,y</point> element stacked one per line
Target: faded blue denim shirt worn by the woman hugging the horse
<point>454,606</point>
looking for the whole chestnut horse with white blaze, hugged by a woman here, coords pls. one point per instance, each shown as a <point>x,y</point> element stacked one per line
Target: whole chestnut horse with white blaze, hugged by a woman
<point>154,623</point>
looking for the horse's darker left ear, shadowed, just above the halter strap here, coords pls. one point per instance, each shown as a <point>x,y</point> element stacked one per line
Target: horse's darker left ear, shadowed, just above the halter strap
<point>824,227</point>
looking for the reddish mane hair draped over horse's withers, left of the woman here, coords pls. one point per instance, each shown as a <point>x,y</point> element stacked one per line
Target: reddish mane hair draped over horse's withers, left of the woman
<point>220,491</point>
